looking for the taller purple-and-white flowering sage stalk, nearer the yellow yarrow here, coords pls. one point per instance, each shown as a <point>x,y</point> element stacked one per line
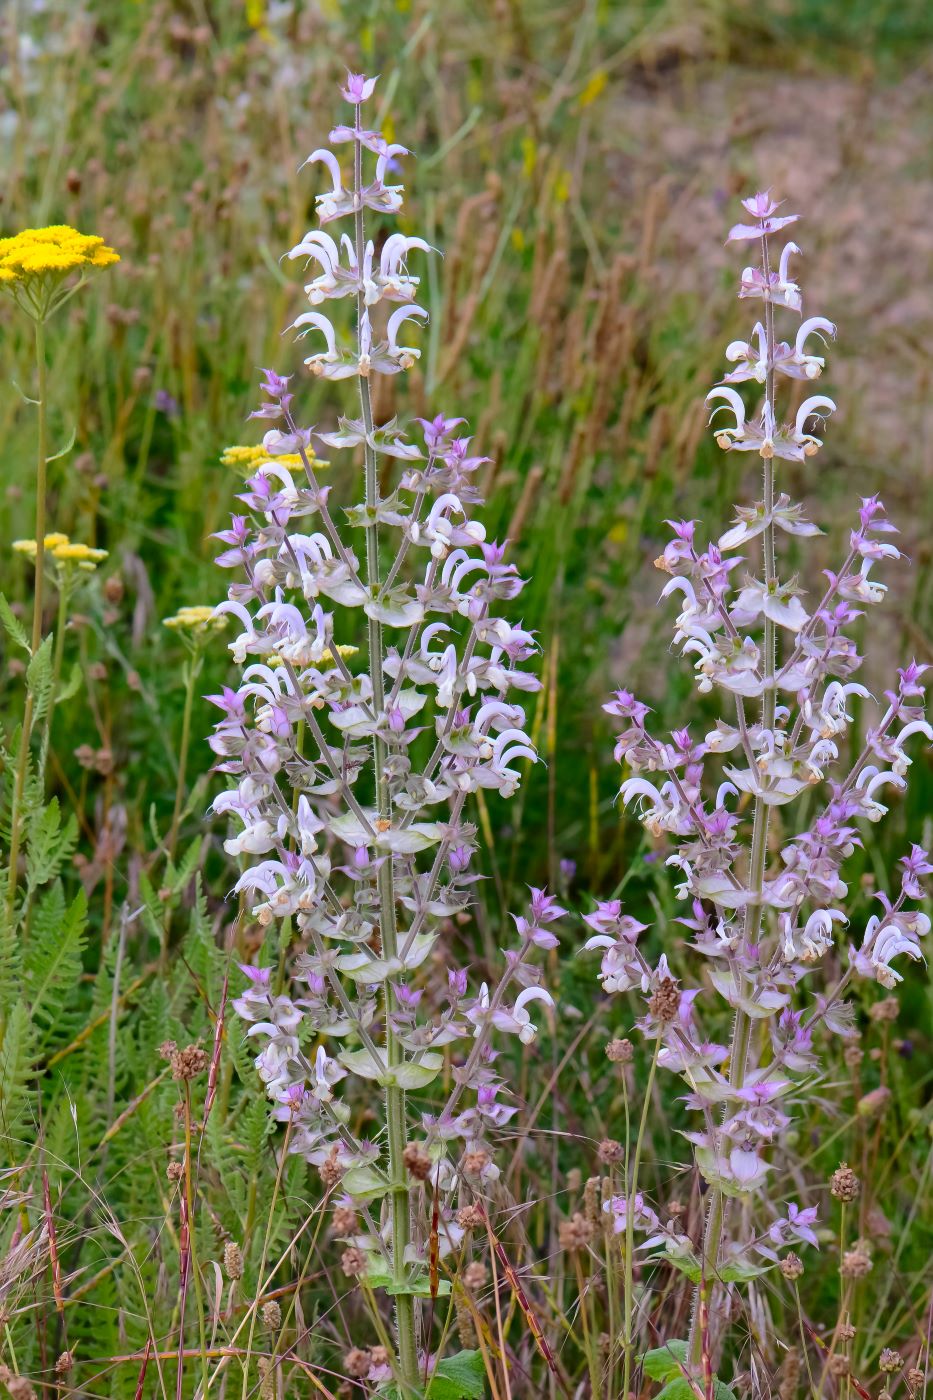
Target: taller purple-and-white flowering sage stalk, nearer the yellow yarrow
<point>355,808</point>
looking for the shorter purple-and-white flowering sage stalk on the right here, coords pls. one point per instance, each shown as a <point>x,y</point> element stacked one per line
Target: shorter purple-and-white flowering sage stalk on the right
<point>763,930</point>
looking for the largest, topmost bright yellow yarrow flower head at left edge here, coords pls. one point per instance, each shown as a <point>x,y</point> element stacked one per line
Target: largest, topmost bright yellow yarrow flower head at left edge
<point>36,264</point>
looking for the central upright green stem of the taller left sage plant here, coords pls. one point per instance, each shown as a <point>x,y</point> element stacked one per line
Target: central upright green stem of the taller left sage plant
<point>401,1217</point>
